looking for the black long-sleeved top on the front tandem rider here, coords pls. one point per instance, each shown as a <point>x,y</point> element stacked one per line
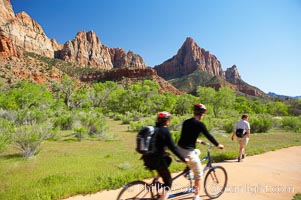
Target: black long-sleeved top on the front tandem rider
<point>191,130</point>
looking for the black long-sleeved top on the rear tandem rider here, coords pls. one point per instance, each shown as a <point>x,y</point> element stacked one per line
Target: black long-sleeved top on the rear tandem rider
<point>163,140</point>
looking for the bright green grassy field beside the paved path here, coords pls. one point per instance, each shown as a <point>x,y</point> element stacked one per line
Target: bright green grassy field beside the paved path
<point>68,167</point>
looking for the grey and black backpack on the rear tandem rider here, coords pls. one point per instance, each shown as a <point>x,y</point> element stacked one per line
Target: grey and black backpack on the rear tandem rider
<point>146,139</point>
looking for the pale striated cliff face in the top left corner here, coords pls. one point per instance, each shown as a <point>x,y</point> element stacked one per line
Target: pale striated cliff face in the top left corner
<point>25,33</point>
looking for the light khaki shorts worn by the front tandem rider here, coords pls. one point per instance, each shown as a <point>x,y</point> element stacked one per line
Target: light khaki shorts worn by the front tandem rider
<point>194,161</point>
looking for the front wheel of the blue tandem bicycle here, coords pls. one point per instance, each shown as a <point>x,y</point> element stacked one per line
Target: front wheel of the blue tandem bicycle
<point>215,182</point>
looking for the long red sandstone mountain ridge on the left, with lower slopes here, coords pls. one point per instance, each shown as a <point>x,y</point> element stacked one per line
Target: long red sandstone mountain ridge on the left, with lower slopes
<point>19,33</point>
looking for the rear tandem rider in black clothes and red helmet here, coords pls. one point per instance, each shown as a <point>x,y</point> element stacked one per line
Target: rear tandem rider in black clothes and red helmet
<point>159,159</point>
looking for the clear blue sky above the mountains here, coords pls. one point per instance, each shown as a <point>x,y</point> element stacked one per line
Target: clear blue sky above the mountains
<point>261,37</point>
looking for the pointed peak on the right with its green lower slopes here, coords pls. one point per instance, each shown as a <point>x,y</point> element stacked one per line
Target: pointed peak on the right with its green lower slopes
<point>193,66</point>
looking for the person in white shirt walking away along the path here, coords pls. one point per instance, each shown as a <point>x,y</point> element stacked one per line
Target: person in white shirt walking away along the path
<point>242,132</point>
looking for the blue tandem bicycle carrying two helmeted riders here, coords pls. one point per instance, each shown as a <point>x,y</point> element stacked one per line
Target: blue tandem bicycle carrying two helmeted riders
<point>215,183</point>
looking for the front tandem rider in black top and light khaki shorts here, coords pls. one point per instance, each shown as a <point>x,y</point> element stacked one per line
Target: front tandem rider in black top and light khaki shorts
<point>191,130</point>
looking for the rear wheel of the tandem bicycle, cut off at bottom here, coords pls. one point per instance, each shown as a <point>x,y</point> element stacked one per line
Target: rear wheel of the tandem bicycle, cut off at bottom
<point>136,190</point>
